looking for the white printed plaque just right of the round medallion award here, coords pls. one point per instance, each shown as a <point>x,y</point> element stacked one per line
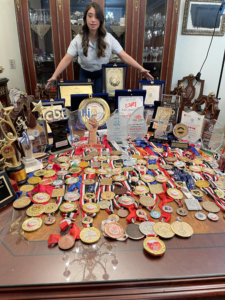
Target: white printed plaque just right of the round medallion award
<point>194,123</point>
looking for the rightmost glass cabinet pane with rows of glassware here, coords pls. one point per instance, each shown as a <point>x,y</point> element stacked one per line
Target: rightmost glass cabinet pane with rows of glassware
<point>154,36</point>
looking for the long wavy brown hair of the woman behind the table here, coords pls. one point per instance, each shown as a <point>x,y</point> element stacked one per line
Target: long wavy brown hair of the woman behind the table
<point>101,44</point>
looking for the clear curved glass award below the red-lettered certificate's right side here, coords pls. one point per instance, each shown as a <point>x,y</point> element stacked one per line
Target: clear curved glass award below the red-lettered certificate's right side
<point>136,126</point>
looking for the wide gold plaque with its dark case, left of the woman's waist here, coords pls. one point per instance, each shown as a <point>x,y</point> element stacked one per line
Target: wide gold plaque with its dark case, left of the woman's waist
<point>67,88</point>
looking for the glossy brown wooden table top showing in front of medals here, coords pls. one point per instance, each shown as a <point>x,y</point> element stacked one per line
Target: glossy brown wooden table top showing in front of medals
<point>190,268</point>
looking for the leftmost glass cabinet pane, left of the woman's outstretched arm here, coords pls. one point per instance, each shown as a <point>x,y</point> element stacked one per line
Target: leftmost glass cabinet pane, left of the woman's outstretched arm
<point>41,36</point>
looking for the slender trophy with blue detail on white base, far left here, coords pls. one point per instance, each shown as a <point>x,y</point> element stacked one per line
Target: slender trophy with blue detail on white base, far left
<point>31,164</point>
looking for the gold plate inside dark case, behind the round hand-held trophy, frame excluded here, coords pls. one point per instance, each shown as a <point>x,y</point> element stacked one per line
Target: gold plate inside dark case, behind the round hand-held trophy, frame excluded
<point>67,90</point>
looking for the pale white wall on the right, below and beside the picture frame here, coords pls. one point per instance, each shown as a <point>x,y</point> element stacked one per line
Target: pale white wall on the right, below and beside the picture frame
<point>190,54</point>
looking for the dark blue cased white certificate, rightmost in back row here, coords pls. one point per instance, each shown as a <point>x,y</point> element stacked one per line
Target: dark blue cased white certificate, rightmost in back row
<point>154,91</point>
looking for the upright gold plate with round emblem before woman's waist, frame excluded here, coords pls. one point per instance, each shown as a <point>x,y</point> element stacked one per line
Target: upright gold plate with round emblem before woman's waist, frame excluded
<point>114,80</point>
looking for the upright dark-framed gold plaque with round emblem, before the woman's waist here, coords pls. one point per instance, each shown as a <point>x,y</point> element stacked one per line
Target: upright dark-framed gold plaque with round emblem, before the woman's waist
<point>113,78</point>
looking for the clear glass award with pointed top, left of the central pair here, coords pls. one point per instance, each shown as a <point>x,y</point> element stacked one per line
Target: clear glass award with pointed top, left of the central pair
<point>117,127</point>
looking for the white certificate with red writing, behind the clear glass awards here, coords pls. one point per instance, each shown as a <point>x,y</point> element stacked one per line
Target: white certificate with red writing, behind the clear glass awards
<point>128,104</point>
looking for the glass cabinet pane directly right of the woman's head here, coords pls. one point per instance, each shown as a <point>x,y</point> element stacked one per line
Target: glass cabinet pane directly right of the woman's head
<point>115,22</point>
